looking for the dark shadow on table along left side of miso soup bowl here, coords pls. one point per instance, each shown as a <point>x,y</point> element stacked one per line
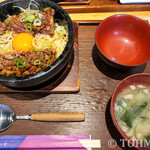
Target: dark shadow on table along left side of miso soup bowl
<point>113,131</point>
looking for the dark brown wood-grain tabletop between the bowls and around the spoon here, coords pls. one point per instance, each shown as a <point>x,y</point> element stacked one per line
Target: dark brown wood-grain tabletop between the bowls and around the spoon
<point>97,82</point>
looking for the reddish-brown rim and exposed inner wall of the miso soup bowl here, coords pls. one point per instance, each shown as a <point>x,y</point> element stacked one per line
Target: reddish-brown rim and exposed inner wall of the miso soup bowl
<point>141,78</point>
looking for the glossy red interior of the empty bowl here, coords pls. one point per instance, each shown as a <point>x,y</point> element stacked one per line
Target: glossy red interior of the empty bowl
<point>124,39</point>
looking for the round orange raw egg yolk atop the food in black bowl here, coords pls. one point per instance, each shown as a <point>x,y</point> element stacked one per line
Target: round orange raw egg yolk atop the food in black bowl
<point>22,42</point>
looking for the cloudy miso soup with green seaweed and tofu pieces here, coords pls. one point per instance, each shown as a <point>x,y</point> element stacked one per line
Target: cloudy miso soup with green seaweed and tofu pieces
<point>132,111</point>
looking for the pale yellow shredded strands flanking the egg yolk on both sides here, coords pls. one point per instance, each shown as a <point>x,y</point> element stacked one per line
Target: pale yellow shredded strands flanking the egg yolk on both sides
<point>41,41</point>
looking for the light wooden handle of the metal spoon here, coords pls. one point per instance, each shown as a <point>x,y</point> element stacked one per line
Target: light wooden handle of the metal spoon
<point>58,117</point>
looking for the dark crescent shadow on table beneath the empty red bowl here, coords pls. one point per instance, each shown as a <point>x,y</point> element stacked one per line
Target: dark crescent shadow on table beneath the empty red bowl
<point>111,72</point>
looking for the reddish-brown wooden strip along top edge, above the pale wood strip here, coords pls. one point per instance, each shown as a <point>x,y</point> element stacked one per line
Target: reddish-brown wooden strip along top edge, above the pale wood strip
<point>105,6</point>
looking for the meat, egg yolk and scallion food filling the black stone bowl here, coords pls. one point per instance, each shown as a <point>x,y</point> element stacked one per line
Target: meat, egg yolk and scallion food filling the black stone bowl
<point>30,41</point>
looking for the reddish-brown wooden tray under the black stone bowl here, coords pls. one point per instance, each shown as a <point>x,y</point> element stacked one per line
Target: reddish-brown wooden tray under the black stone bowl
<point>67,81</point>
